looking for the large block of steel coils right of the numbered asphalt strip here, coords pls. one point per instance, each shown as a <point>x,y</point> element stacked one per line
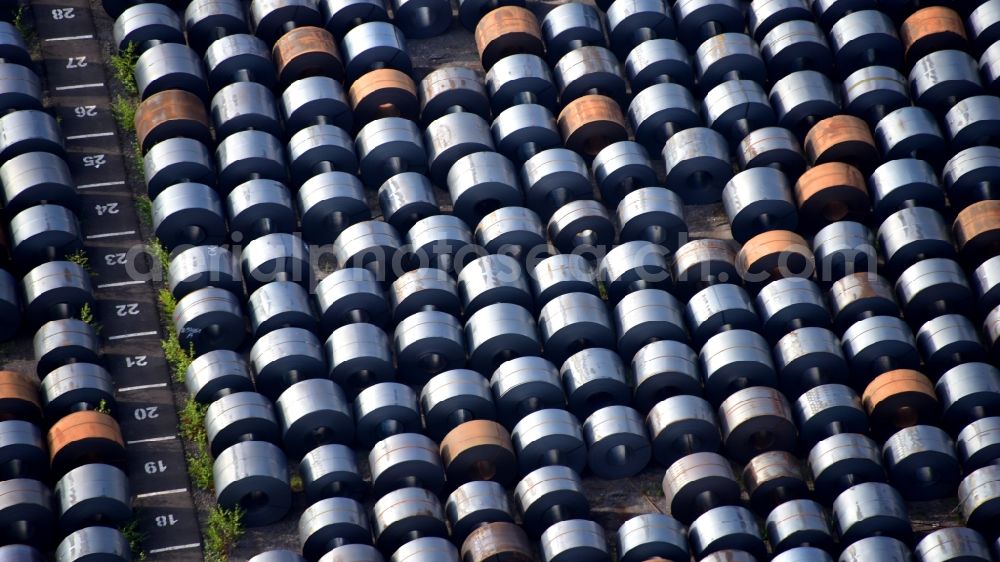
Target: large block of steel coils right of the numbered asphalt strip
<point>455,308</point>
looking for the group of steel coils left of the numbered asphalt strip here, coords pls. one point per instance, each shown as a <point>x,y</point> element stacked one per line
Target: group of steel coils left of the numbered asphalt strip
<point>61,451</point>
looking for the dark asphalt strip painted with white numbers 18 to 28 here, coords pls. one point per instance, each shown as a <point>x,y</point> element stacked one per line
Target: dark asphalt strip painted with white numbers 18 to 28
<point>126,308</point>
